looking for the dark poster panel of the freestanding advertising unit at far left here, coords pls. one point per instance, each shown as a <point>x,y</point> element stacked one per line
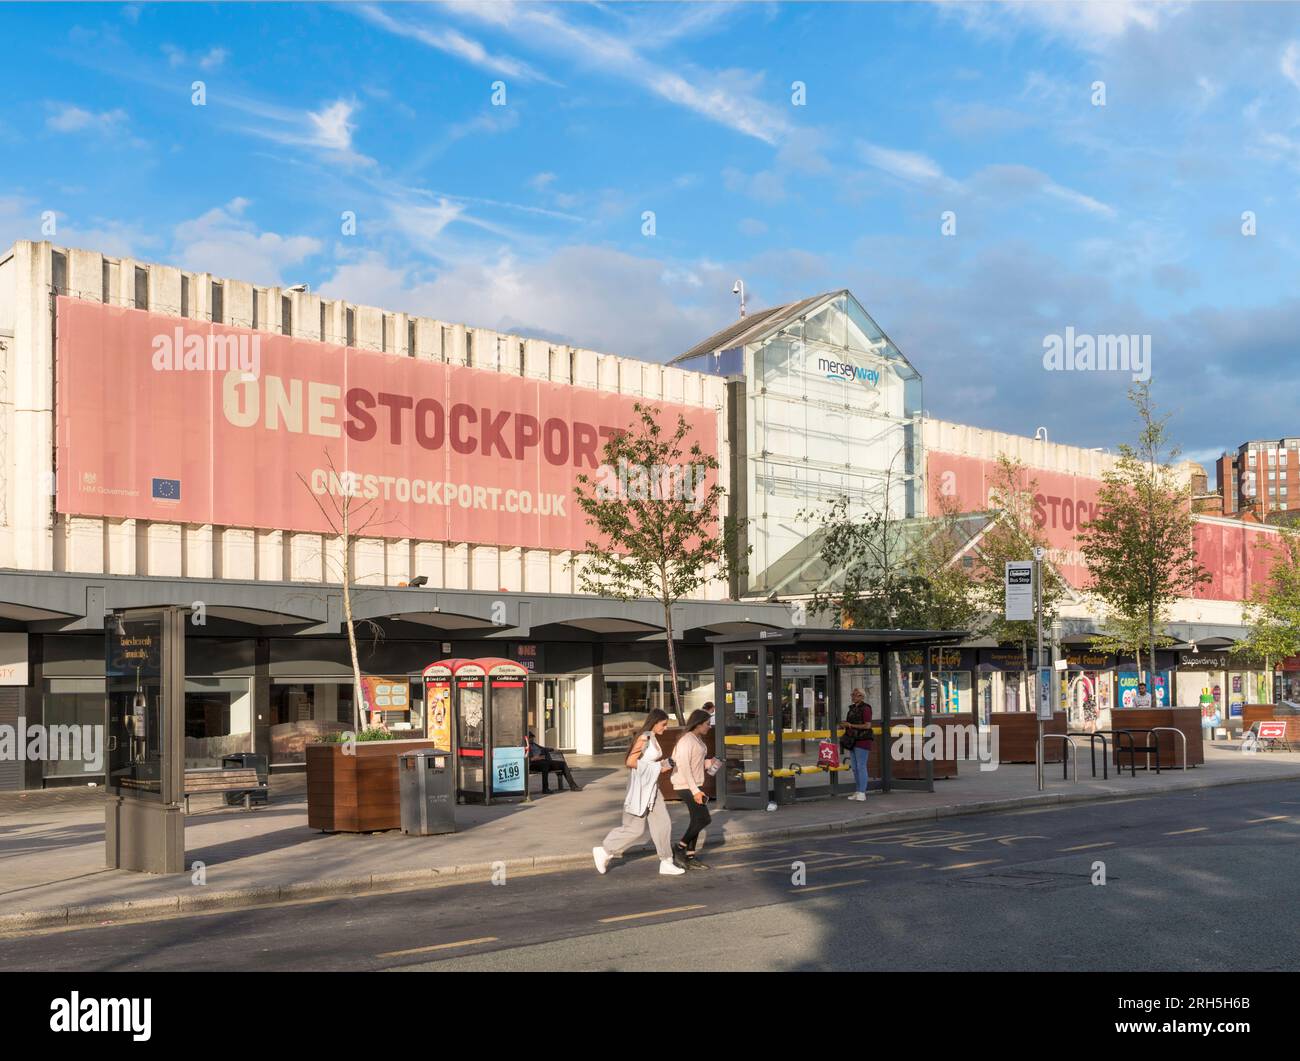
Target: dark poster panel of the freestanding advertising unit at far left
<point>133,661</point>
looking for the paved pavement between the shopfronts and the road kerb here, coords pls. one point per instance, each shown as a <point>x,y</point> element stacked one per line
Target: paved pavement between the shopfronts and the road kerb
<point>51,845</point>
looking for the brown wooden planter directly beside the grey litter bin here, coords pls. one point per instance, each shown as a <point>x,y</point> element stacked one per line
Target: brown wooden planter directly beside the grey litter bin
<point>356,792</point>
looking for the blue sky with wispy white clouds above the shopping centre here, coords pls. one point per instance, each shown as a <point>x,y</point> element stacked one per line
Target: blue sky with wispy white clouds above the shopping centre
<point>1124,218</point>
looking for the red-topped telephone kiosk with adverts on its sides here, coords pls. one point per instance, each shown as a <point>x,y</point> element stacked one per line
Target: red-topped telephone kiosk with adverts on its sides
<point>476,711</point>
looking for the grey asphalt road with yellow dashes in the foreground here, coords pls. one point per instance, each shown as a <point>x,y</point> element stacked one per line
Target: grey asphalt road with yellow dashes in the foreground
<point>1190,881</point>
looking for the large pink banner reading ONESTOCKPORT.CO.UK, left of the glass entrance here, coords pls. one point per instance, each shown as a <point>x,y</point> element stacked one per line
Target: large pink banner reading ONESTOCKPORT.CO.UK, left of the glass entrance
<point>185,422</point>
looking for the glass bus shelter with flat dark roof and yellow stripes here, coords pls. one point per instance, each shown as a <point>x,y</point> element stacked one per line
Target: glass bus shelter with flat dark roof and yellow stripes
<point>781,695</point>
